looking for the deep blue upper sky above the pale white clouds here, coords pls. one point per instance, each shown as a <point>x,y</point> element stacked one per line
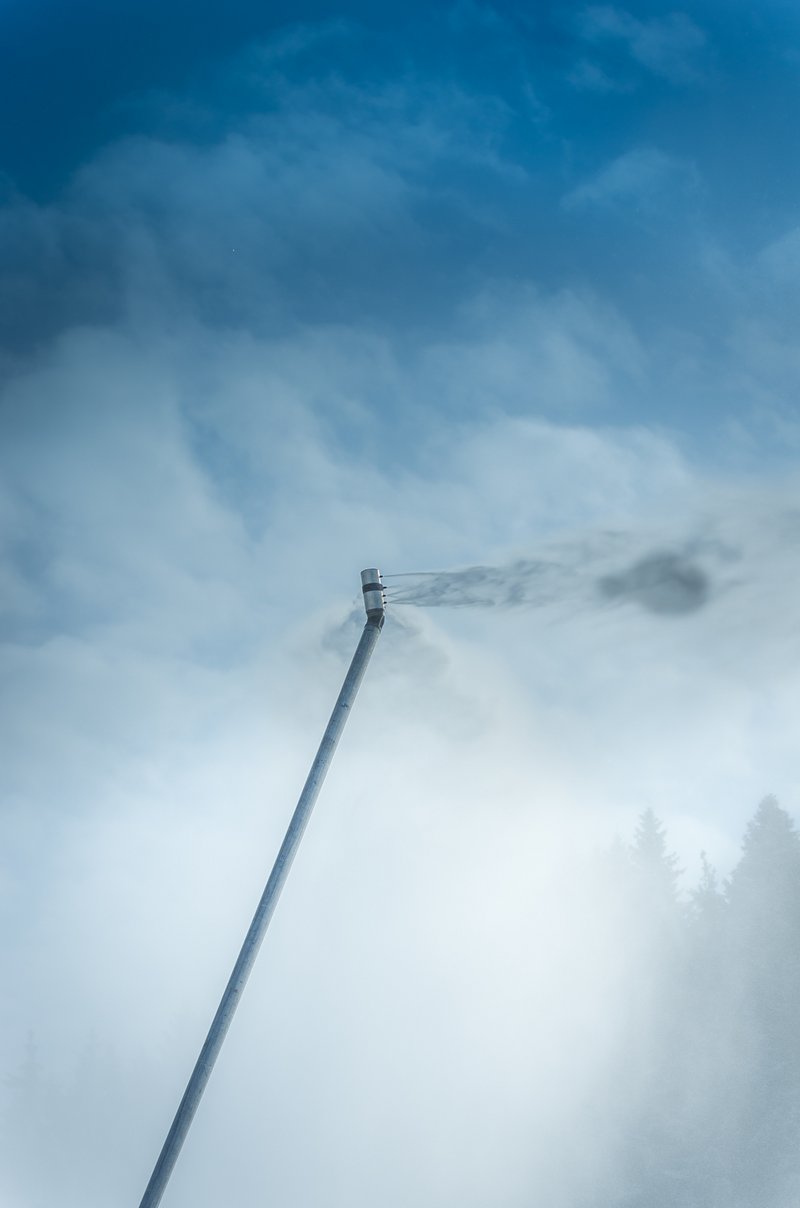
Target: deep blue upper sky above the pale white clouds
<point>644,159</point>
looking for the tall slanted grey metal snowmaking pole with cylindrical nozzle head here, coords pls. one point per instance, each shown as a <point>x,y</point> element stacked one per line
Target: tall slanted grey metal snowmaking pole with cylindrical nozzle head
<point>374,601</point>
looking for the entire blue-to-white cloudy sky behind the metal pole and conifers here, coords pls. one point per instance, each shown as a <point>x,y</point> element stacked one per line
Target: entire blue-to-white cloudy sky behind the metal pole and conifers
<point>289,294</point>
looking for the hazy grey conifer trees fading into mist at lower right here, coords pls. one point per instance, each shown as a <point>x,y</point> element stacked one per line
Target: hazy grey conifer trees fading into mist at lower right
<point>712,1053</point>
